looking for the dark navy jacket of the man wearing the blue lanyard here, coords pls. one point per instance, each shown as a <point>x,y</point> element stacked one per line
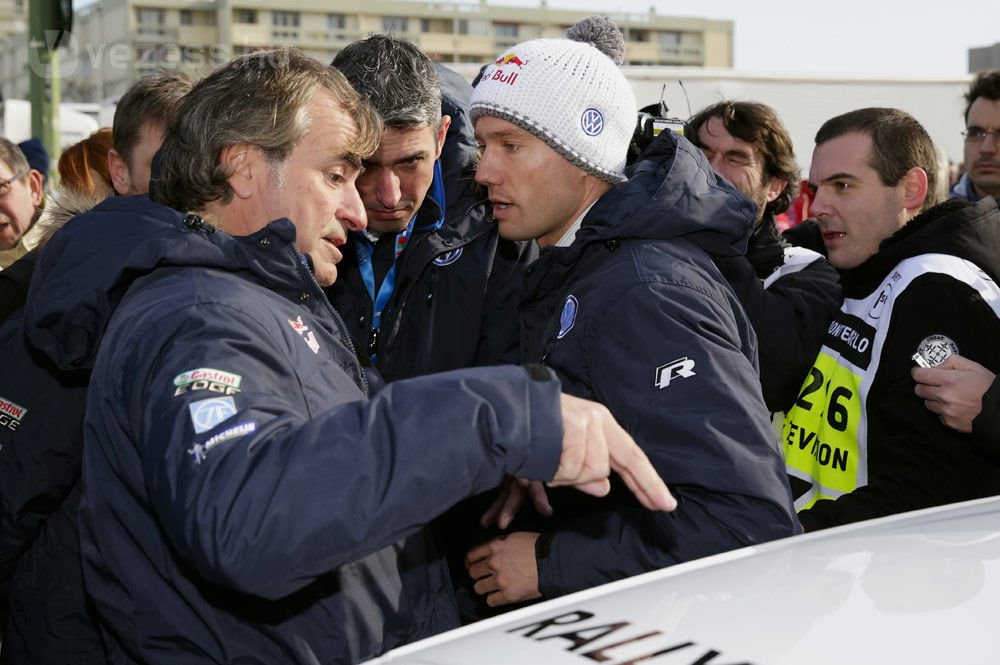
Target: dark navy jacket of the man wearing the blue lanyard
<point>457,286</point>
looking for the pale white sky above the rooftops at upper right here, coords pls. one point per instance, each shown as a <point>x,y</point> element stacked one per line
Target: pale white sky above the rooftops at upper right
<point>848,36</point>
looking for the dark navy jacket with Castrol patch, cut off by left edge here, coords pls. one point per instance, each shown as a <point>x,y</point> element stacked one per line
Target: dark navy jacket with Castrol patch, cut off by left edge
<point>41,443</point>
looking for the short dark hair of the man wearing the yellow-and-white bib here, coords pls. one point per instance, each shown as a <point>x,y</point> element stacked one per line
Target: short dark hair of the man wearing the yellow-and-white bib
<point>899,143</point>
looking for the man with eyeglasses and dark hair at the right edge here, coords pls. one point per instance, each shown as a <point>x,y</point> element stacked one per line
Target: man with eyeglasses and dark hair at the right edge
<point>982,139</point>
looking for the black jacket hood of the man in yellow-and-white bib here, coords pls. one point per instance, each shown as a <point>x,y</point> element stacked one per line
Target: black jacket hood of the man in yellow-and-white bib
<point>956,227</point>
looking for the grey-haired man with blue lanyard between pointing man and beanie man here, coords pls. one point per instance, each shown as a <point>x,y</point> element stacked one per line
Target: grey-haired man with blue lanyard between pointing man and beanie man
<point>429,285</point>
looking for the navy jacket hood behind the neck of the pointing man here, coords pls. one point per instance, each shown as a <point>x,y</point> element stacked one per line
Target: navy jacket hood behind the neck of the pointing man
<point>86,268</point>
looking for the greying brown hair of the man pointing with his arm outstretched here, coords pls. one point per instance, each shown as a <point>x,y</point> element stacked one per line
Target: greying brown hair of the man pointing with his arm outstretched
<point>260,99</point>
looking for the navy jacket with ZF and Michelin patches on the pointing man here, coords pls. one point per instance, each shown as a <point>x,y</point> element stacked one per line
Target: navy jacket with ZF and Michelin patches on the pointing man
<point>244,500</point>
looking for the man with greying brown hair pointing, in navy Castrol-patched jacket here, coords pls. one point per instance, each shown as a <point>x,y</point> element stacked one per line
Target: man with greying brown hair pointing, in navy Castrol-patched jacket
<point>244,499</point>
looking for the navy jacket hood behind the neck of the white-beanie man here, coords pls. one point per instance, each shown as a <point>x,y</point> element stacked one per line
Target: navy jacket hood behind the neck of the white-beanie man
<point>672,192</point>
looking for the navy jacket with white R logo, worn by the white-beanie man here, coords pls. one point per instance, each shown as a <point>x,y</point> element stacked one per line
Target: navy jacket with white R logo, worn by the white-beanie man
<point>635,315</point>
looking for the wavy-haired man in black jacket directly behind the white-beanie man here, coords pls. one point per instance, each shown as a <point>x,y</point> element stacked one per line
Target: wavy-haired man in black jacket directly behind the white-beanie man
<point>789,293</point>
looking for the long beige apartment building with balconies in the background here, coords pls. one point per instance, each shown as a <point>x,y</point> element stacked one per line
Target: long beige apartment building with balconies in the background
<point>116,41</point>
